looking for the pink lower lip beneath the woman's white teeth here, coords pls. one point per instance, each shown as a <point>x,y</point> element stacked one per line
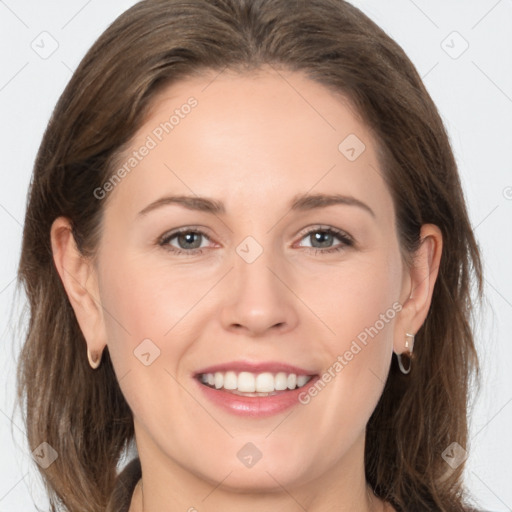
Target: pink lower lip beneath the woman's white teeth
<point>254,406</point>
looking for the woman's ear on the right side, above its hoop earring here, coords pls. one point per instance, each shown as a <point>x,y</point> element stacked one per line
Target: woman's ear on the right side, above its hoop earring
<point>418,285</point>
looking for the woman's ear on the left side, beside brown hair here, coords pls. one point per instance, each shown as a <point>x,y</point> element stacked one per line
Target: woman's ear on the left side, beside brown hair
<point>80,280</point>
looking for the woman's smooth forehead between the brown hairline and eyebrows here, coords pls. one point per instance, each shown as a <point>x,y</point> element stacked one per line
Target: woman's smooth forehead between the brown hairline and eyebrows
<point>256,137</point>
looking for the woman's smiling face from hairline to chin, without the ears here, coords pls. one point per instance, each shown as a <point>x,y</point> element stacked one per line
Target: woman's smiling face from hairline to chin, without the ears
<point>259,274</point>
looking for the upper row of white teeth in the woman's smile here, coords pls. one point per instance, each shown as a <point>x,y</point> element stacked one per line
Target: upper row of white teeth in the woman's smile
<point>250,382</point>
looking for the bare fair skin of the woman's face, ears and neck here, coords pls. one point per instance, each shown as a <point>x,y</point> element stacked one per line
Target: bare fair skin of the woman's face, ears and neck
<point>253,142</point>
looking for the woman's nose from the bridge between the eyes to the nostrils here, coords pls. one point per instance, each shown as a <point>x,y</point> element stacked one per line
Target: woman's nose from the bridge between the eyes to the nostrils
<point>258,300</point>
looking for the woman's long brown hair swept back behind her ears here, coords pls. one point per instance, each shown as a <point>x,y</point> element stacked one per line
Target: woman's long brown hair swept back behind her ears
<point>82,413</point>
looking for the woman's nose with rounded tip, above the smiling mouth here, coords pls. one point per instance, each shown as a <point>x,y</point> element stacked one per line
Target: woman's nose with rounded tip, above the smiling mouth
<point>260,298</point>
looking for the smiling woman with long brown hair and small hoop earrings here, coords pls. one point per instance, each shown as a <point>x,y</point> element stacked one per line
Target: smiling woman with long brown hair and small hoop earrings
<point>312,348</point>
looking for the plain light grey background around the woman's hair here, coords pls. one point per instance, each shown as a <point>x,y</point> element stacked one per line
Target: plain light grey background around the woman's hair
<point>473,92</point>
